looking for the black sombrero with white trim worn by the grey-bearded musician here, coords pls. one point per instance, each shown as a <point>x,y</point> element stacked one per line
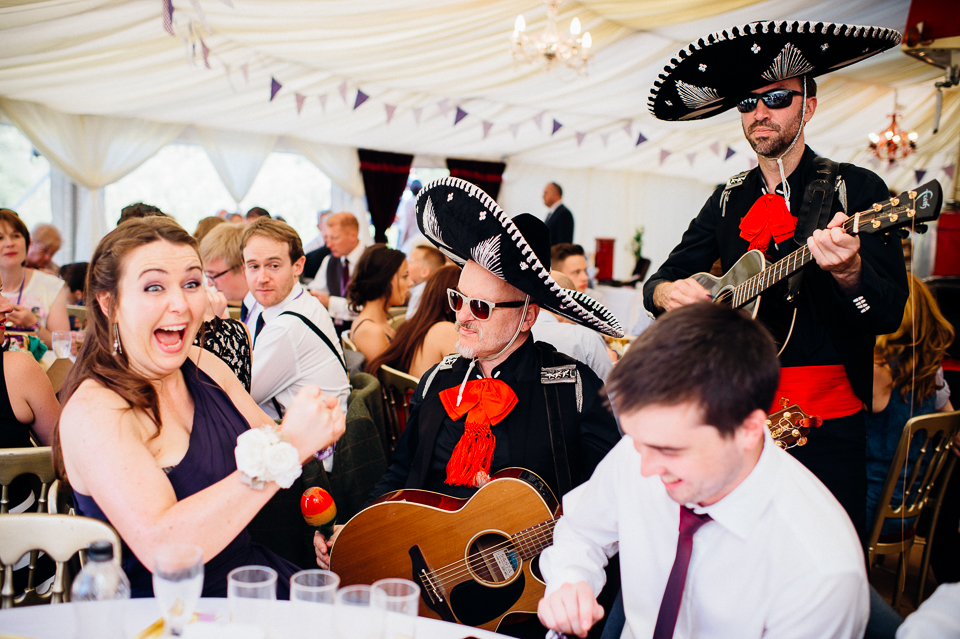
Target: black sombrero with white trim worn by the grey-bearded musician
<point>466,224</point>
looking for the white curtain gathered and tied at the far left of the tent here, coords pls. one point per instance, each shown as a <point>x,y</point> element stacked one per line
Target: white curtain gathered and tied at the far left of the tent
<point>93,151</point>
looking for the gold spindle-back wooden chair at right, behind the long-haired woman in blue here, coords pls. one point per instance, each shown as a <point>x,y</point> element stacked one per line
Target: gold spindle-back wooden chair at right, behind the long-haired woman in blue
<point>934,434</point>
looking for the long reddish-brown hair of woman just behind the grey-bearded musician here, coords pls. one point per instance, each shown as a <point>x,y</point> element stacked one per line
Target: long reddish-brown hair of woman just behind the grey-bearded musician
<point>410,336</point>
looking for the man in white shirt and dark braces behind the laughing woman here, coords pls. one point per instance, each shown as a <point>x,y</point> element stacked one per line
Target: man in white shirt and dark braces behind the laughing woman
<point>294,343</point>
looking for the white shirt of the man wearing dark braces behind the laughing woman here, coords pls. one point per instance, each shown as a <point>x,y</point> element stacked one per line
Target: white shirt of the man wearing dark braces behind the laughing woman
<point>288,355</point>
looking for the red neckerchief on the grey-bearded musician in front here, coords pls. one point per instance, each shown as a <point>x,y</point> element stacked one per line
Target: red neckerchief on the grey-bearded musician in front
<point>485,402</point>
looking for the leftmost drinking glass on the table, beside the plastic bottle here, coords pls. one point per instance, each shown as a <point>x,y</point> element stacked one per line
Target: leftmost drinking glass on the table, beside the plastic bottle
<point>177,583</point>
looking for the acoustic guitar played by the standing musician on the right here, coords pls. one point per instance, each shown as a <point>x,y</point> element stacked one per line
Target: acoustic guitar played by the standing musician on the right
<point>742,285</point>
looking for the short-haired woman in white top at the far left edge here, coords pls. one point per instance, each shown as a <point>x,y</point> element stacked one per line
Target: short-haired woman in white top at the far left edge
<point>39,299</point>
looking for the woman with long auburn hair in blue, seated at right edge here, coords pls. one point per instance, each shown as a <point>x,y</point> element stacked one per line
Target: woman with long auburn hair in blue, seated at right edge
<point>907,382</point>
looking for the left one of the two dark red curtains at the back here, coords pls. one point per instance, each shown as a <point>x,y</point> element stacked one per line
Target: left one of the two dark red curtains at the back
<point>384,179</point>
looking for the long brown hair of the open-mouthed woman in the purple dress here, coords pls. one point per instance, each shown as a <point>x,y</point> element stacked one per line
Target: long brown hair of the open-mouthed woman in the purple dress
<point>96,359</point>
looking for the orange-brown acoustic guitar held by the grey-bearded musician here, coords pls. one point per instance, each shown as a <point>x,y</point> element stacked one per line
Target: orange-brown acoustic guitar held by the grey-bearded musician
<point>474,559</point>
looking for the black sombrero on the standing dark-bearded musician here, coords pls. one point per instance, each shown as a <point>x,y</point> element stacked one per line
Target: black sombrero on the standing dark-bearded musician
<point>711,75</point>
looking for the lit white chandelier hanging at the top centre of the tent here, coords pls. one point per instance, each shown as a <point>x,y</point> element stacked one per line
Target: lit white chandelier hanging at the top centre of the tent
<point>549,47</point>
